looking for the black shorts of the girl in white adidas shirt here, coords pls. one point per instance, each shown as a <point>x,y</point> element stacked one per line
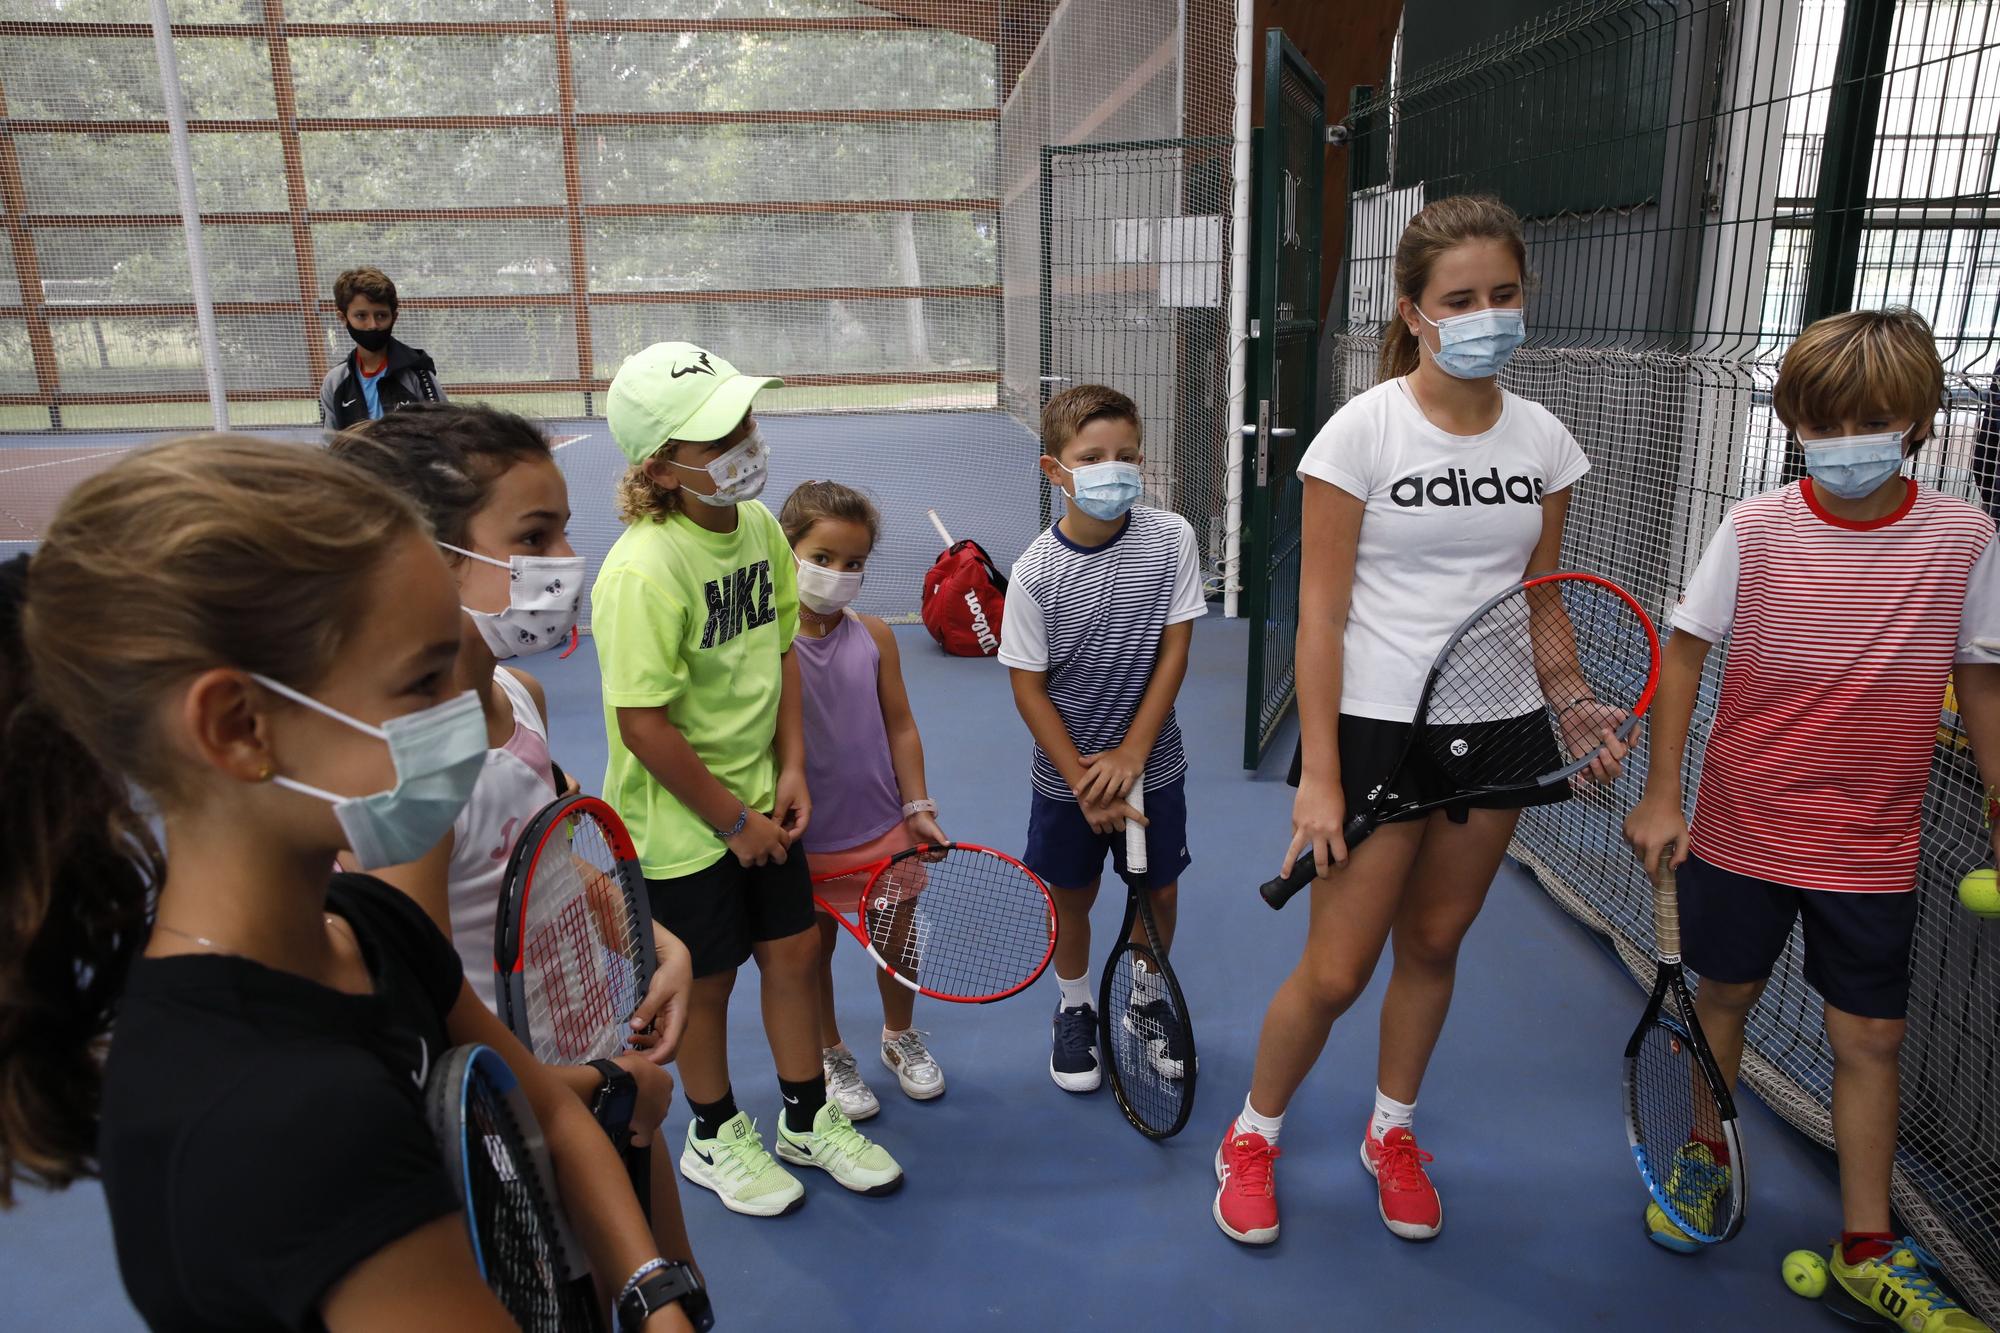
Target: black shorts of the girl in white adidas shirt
<point>1373,748</point>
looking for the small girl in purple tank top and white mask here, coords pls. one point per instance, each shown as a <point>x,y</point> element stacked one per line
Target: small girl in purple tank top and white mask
<point>865,768</point>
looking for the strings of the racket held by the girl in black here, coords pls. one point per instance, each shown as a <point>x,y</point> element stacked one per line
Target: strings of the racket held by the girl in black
<point>525,1264</point>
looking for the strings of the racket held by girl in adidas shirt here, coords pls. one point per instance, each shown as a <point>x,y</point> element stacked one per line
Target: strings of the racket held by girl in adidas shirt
<point>1533,686</point>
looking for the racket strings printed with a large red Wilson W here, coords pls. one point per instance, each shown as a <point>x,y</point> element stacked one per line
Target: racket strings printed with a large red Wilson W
<point>581,948</point>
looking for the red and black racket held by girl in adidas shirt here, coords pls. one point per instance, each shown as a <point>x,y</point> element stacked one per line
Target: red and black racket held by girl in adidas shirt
<point>1517,702</point>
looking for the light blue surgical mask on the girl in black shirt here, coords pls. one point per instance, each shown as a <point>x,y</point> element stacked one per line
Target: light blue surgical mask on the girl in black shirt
<point>439,758</point>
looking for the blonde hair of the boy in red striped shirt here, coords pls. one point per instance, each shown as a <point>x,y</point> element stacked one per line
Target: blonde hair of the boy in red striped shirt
<point>1857,365</point>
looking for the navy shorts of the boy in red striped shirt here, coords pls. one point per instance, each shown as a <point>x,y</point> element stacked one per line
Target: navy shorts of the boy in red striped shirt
<point>1735,928</point>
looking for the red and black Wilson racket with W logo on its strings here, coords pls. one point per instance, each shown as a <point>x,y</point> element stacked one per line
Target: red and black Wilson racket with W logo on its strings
<point>573,946</point>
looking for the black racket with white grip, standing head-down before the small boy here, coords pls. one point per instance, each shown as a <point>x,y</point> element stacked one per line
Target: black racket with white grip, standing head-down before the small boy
<point>1143,1018</point>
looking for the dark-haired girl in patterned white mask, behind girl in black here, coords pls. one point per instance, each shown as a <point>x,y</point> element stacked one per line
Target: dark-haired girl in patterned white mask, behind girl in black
<point>497,503</point>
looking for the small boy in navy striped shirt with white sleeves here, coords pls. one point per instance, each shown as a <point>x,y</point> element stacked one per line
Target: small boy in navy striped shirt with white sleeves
<point>1097,631</point>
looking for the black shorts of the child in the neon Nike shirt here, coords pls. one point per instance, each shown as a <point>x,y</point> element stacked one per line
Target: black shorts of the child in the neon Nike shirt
<point>727,908</point>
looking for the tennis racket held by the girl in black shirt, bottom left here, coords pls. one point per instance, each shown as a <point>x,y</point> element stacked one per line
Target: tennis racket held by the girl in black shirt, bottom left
<point>493,1152</point>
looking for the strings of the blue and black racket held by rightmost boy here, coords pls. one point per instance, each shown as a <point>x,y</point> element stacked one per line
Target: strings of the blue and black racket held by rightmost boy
<point>1681,1140</point>
